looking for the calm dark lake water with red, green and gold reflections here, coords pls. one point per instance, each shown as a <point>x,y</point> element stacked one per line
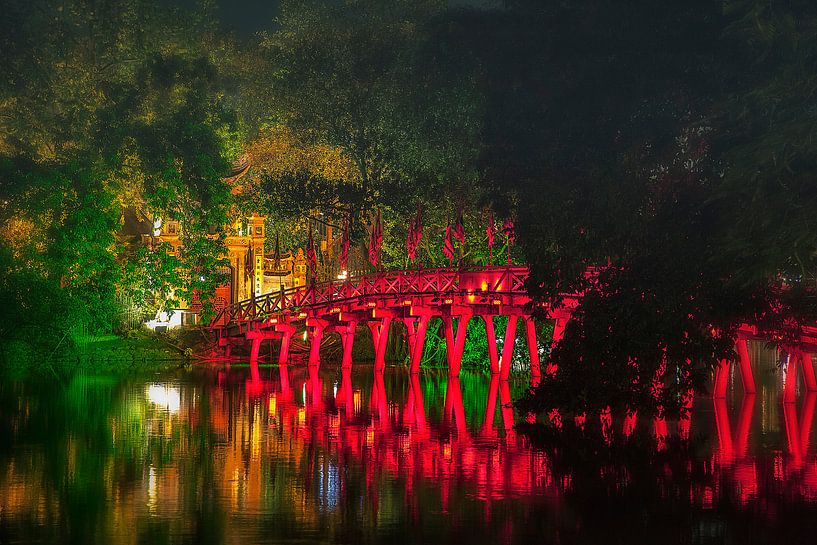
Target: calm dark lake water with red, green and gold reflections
<point>213,456</point>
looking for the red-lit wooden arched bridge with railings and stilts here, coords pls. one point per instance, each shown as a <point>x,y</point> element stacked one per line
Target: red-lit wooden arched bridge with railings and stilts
<point>453,295</point>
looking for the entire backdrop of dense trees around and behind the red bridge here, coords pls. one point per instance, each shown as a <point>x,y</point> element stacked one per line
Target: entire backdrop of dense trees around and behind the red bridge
<point>666,151</point>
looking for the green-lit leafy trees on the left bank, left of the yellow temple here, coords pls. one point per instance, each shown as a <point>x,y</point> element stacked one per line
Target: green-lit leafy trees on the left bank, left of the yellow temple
<point>104,107</point>
